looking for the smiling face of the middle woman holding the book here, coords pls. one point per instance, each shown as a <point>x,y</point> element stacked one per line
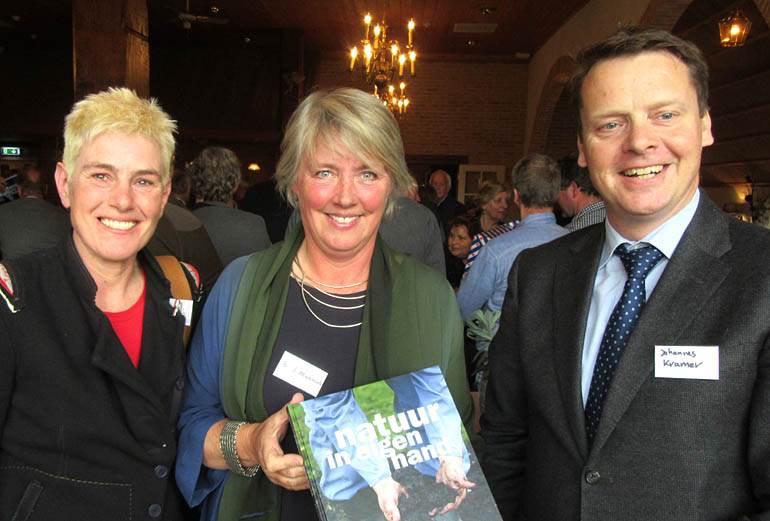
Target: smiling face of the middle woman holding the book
<point>341,201</point>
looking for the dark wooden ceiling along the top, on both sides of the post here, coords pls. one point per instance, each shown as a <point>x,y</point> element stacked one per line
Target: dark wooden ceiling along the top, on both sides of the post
<point>520,27</point>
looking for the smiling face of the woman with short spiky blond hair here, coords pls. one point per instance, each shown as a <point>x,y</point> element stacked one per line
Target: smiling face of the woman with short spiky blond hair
<point>115,198</point>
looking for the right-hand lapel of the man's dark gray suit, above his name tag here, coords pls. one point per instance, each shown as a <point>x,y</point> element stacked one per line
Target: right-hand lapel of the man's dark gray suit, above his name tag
<point>693,274</point>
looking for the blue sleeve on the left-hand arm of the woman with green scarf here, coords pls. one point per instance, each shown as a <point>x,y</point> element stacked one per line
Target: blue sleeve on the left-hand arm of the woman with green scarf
<point>202,406</point>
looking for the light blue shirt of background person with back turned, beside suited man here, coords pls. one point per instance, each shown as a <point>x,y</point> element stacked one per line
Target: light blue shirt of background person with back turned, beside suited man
<point>487,279</point>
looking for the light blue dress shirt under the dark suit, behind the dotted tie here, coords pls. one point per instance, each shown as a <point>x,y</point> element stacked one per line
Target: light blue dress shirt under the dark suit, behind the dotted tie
<point>611,277</point>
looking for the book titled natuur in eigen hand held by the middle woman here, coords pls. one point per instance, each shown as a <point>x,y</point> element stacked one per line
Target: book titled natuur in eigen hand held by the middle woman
<point>394,444</point>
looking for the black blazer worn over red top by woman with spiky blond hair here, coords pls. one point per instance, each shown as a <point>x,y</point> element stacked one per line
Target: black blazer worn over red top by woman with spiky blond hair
<point>84,434</point>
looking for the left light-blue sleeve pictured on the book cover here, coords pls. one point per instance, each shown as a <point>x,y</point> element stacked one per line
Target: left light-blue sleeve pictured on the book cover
<point>341,480</point>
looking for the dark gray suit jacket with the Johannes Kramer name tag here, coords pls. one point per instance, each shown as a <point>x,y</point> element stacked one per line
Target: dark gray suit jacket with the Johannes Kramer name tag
<point>666,449</point>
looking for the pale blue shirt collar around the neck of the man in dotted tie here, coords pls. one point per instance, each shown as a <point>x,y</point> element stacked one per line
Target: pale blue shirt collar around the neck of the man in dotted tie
<point>665,237</point>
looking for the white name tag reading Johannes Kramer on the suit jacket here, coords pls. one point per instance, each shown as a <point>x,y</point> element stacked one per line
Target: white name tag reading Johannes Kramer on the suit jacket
<point>689,362</point>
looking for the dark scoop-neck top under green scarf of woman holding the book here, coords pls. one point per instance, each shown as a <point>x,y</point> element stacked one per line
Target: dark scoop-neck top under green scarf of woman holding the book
<point>331,349</point>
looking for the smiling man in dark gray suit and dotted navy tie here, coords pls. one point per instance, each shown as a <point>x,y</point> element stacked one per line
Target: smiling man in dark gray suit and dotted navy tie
<point>666,414</point>
